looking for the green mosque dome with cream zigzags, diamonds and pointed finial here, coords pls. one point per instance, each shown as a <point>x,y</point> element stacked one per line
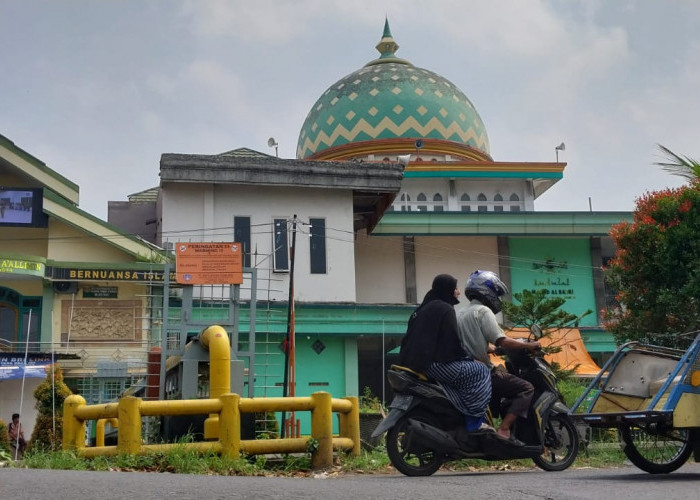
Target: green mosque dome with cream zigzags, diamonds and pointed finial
<point>390,98</point>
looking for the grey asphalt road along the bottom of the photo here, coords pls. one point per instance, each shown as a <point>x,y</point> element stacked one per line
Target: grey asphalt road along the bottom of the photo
<point>621,484</point>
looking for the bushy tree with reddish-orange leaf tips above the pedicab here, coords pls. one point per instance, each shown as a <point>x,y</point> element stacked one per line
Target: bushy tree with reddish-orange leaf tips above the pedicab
<point>656,269</point>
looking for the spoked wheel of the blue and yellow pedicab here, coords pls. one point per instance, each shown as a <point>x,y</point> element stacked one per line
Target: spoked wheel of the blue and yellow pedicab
<point>656,450</point>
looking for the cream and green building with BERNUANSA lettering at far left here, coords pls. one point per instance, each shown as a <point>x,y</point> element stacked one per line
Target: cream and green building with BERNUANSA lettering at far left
<point>73,289</point>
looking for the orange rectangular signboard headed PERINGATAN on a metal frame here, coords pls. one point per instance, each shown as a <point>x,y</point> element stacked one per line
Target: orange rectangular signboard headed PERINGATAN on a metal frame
<point>209,263</point>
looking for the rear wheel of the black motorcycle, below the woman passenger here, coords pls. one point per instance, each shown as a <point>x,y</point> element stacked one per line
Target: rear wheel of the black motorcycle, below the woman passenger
<point>409,460</point>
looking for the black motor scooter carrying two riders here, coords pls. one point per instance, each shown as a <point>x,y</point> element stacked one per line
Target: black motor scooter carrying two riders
<point>424,430</point>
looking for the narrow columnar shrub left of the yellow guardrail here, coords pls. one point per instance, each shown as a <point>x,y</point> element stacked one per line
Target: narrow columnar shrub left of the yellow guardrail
<point>49,395</point>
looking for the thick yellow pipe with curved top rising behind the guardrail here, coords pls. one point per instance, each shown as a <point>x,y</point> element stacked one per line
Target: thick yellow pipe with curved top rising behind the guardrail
<point>216,340</point>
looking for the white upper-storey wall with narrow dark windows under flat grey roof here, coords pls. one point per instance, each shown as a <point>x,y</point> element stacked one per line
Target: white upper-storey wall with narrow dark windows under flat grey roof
<point>205,213</point>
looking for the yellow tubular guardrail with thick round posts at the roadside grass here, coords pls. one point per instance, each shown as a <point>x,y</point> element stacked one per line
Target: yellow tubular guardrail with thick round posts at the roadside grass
<point>226,412</point>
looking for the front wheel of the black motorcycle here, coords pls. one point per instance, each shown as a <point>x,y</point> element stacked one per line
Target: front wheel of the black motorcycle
<point>561,444</point>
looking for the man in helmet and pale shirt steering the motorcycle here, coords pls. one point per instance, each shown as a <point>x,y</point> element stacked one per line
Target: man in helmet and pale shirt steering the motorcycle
<point>478,328</point>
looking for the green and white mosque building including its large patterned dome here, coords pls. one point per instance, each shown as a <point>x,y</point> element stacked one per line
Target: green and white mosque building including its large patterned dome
<point>368,254</point>
